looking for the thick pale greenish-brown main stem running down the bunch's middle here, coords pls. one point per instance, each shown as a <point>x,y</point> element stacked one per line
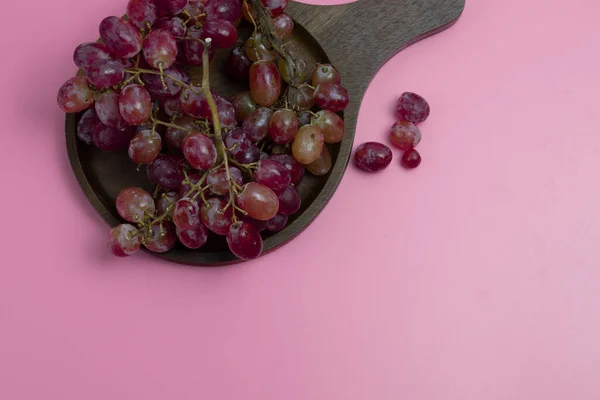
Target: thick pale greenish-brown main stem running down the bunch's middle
<point>220,144</point>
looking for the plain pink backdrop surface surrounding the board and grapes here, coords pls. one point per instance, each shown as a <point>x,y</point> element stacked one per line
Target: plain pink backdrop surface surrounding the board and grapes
<point>479,281</point>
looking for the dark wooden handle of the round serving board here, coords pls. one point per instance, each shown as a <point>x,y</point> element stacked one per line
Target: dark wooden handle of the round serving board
<point>360,37</point>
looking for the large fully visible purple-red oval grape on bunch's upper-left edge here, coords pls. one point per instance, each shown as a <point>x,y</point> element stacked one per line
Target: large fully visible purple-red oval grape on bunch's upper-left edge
<point>121,37</point>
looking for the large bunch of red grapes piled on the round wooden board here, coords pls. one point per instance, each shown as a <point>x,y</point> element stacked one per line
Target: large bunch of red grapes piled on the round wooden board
<point>230,166</point>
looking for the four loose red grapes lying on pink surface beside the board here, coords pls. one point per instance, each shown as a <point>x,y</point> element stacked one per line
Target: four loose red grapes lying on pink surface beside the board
<point>404,134</point>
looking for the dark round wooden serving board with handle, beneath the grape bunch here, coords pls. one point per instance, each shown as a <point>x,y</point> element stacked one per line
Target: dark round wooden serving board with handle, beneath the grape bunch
<point>358,38</point>
